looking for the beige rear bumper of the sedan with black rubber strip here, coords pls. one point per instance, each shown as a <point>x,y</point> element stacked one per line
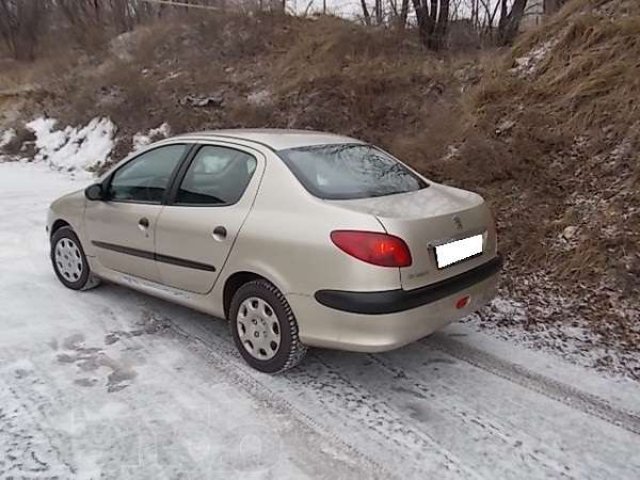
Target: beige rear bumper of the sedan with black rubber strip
<point>384,321</point>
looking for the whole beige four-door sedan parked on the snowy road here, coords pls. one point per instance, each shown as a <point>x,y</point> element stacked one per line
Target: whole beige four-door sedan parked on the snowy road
<point>297,238</point>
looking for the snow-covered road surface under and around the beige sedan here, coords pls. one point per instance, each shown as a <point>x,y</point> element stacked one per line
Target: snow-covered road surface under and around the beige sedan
<point>114,384</point>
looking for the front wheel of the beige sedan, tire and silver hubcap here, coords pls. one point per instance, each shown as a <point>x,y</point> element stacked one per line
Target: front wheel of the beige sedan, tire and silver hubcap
<point>69,261</point>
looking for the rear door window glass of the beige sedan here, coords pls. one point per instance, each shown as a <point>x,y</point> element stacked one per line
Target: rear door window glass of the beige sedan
<point>217,176</point>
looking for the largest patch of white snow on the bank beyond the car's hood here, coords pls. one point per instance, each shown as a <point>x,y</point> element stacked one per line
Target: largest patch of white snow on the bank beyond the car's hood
<point>73,148</point>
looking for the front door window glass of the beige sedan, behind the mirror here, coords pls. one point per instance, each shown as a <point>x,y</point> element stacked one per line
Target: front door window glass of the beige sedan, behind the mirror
<point>145,178</point>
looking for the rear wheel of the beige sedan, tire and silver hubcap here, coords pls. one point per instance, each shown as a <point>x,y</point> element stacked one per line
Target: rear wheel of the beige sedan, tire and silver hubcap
<point>253,301</point>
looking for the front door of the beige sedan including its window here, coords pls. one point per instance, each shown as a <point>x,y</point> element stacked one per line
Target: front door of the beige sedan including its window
<point>122,228</point>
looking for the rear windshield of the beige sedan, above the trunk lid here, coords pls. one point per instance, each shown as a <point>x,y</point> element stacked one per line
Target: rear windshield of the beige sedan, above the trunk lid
<point>349,171</point>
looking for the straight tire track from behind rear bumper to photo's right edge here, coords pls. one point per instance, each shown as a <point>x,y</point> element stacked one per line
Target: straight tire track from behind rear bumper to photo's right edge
<point>524,377</point>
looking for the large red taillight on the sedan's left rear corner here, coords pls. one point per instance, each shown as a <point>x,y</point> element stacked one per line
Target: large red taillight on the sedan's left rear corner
<point>375,248</point>
